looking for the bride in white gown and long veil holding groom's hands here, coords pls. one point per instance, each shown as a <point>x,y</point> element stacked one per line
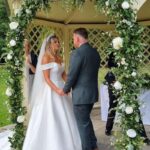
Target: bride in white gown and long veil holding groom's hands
<point>52,125</point>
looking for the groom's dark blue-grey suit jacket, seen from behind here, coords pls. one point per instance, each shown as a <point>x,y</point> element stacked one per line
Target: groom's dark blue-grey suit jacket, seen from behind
<point>83,75</point>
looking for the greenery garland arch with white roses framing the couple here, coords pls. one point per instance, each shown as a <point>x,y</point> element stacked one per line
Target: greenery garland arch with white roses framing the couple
<point>127,48</point>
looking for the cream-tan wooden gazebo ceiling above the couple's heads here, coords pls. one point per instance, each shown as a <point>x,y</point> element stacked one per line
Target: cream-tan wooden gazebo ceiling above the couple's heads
<point>85,15</point>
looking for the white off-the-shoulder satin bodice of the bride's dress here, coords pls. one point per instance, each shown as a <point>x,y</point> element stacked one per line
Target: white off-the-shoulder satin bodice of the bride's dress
<point>56,70</point>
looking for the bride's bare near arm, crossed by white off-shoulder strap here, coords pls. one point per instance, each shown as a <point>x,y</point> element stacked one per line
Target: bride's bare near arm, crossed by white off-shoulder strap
<point>46,73</point>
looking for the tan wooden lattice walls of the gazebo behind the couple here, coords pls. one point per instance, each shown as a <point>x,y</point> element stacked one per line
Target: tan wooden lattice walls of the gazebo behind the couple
<point>98,38</point>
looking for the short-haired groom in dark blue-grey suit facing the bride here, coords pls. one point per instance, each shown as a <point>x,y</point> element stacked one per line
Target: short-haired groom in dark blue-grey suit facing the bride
<point>83,80</point>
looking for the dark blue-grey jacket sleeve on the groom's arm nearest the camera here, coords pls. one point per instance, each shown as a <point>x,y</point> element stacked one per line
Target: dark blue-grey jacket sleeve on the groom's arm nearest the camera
<point>74,70</point>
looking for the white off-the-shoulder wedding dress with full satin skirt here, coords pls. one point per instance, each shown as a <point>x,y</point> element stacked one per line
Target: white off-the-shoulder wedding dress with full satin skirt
<point>52,125</point>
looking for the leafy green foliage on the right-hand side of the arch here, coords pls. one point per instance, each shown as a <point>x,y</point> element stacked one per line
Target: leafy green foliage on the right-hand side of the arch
<point>128,57</point>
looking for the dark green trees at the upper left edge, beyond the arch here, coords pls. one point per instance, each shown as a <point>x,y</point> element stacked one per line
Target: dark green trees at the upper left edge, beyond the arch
<point>3,27</point>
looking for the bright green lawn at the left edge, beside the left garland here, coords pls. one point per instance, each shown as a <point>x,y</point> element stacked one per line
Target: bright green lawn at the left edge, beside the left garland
<point>4,115</point>
